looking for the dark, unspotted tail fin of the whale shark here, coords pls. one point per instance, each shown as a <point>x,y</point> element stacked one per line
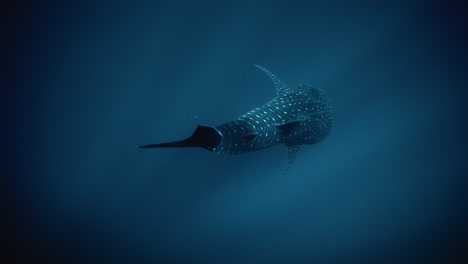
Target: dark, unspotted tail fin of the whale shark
<point>204,136</point>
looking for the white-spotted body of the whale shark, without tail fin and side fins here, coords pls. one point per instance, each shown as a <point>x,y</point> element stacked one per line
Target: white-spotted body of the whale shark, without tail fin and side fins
<point>307,121</point>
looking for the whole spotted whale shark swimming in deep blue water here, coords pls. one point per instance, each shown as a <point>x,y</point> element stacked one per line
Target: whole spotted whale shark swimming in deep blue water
<point>294,117</point>
